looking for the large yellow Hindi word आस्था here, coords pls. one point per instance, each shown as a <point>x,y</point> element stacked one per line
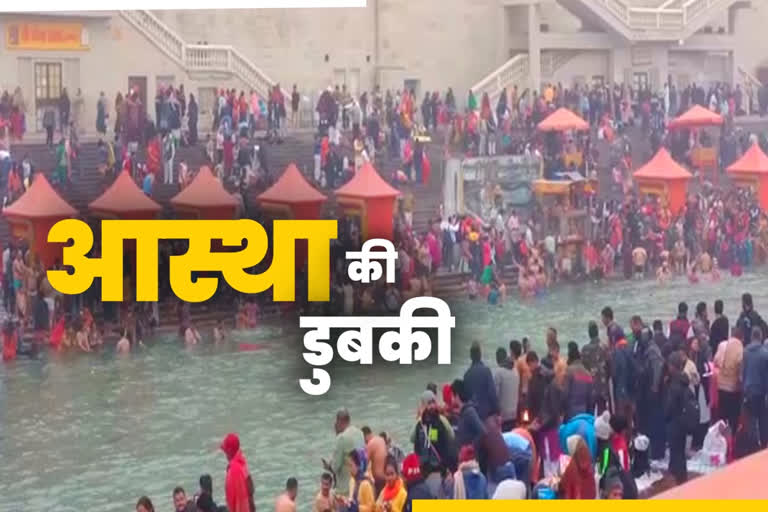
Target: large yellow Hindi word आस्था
<point>199,257</point>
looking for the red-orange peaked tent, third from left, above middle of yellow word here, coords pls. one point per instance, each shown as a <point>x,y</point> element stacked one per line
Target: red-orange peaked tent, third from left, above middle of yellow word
<point>205,198</point>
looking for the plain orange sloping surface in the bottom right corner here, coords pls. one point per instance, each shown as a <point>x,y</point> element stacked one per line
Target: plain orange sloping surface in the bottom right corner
<point>737,481</point>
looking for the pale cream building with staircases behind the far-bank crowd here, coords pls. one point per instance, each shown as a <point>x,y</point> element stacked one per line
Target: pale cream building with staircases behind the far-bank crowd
<point>422,44</point>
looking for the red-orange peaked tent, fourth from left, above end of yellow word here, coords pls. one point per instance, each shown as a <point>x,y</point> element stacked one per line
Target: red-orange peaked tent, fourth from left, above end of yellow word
<point>292,196</point>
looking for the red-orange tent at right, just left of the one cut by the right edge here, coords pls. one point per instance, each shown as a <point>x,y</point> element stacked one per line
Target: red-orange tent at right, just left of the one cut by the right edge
<point>665,178</point>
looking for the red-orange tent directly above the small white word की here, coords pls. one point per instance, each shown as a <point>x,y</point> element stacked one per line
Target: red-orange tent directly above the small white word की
<point>371,198</point>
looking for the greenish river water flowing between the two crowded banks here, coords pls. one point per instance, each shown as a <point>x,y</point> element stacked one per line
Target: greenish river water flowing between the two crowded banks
<point>95,433</point>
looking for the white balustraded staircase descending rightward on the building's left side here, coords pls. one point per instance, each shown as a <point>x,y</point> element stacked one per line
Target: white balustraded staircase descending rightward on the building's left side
<point>199,58</point>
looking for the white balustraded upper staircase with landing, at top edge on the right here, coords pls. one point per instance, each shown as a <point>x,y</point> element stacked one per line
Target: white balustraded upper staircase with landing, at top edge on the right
<point>649,20</point>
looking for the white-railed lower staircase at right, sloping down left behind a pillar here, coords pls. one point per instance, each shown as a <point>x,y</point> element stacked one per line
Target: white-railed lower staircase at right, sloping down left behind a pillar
<point>516,71</point>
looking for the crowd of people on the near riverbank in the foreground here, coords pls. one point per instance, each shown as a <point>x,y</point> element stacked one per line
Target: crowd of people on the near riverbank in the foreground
<point>587,424</point>
